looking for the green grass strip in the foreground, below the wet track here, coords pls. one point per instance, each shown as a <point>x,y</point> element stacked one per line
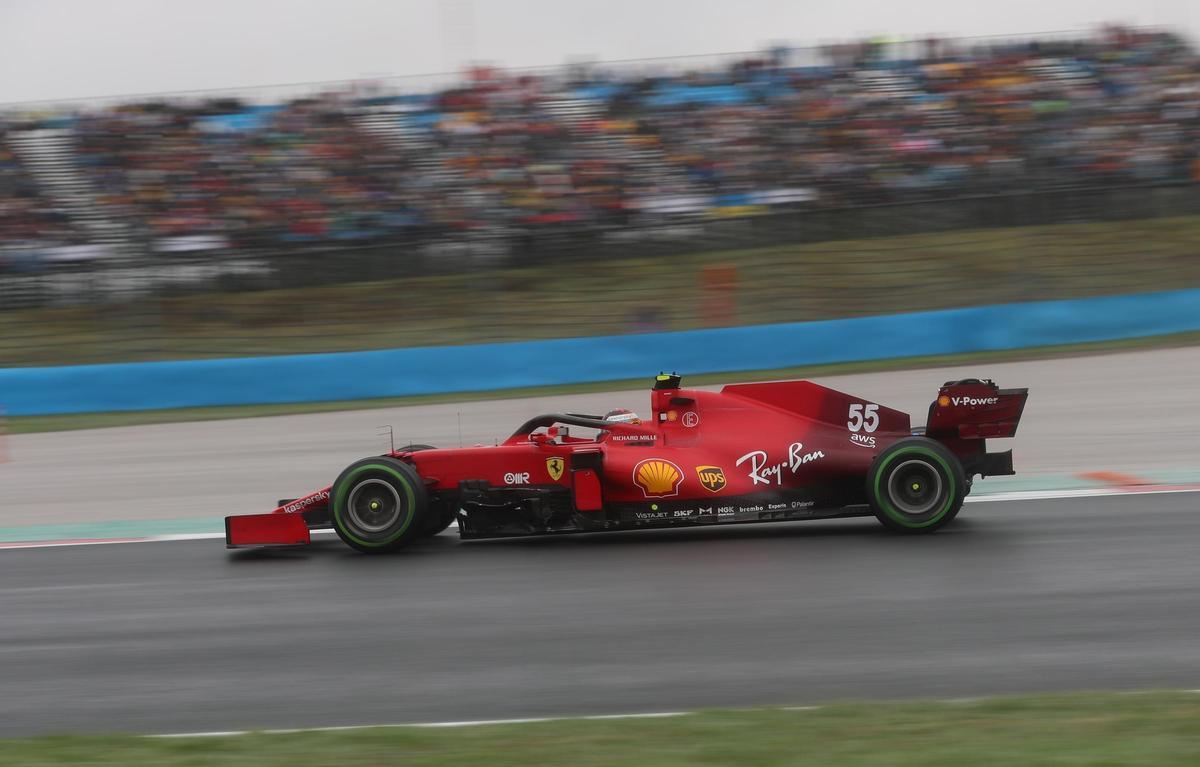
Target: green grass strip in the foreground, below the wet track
<point>1160,729</point>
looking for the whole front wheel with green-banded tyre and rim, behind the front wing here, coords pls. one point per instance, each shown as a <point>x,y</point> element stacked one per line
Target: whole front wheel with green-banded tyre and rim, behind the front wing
<point>379,505</point>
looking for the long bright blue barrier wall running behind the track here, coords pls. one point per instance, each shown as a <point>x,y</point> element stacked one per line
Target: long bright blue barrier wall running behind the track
<point>401,373</point>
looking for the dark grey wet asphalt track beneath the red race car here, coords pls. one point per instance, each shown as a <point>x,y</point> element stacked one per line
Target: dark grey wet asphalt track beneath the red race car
<point>1094,594</point>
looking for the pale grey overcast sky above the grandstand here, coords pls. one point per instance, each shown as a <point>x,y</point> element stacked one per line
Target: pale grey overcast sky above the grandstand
<point>86,49</point>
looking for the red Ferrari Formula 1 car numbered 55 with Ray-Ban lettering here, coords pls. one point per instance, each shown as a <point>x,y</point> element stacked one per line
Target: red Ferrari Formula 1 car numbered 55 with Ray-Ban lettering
<point>749,453</point>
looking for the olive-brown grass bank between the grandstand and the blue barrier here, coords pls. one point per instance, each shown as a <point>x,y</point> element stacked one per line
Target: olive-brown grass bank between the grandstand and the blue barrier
<point>568,298</point>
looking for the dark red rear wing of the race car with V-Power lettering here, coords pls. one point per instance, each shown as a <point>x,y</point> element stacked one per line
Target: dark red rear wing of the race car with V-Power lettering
<point>975,410</point>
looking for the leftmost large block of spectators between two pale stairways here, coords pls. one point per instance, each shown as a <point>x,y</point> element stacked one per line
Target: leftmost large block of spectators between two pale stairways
<point>303,172</point>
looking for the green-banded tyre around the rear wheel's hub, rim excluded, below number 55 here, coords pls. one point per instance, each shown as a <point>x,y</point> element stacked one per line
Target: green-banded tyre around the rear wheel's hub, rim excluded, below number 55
<point>937,457</point>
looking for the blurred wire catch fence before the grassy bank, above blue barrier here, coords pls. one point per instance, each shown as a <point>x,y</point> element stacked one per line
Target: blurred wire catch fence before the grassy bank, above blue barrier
<point>687,273</point>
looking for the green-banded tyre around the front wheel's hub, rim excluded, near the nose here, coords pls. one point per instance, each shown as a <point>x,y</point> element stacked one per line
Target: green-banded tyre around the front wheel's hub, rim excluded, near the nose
<point>413,499</point>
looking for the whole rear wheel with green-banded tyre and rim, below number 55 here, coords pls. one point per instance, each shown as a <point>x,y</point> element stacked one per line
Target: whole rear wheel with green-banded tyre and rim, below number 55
<point>917,486</point>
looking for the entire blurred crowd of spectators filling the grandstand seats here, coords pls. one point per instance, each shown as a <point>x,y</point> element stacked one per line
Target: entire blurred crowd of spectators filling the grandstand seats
<point>584,148</point>
